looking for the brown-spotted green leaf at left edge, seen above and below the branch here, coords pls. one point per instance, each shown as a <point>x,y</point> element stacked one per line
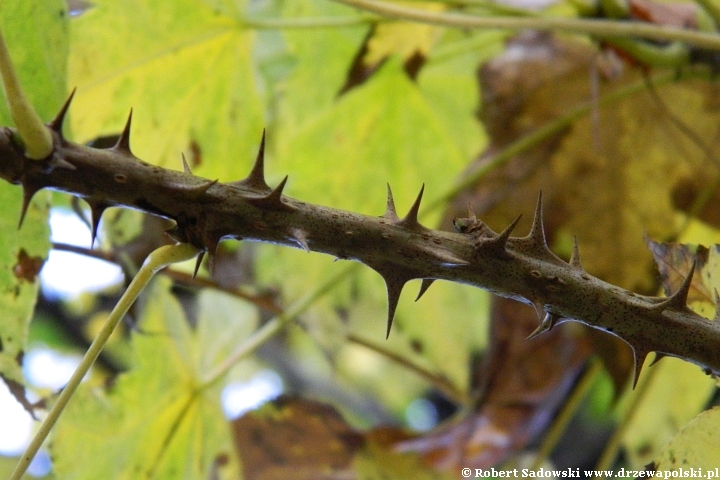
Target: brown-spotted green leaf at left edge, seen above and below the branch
<point>36,34</point>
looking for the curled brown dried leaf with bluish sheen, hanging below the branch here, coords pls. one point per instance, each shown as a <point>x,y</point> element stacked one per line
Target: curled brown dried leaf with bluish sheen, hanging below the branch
<point>521,384</point>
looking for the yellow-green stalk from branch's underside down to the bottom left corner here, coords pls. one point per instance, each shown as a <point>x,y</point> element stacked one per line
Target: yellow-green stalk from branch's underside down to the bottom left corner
<point>157,260</point>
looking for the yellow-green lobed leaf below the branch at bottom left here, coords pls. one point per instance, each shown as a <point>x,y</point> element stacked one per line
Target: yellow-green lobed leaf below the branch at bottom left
<point>160,420</point>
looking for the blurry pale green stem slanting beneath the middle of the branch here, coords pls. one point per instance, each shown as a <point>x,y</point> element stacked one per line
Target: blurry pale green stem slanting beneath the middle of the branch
<point>274,326</point>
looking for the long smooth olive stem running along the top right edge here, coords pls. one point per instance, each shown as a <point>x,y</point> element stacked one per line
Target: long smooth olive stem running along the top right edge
<point>598,28</point>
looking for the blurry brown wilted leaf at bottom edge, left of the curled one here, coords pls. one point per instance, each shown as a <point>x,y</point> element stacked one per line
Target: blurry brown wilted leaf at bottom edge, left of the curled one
<point>307,440</point>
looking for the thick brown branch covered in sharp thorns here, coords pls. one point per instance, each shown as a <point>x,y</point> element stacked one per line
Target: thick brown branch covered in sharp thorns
<point>399,249</point>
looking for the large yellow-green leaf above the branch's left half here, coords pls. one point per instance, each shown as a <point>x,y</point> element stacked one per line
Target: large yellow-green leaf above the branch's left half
<point>185,67</point>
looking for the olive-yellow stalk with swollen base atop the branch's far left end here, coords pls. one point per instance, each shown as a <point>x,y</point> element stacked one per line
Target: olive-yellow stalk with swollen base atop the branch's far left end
<point>36,136</point>
